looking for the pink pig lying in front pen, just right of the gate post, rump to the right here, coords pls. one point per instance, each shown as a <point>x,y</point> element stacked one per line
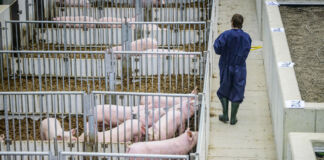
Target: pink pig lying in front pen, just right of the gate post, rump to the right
<point>130,130</point>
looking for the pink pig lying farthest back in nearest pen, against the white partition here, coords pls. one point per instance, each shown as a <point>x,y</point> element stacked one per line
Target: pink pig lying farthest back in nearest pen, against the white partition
<point>162,100</point>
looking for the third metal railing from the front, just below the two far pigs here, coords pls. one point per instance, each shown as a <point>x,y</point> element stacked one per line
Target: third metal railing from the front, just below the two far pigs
<point>88,35</point>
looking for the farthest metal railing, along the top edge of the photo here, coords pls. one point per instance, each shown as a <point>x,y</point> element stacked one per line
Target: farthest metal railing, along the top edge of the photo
<point>166,10</point>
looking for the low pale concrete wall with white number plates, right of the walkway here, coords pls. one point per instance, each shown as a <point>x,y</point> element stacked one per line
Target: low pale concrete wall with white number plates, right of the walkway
<point>282,84</point>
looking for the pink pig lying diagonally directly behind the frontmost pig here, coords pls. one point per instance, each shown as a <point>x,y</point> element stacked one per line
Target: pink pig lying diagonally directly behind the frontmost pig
<point>167,126</point>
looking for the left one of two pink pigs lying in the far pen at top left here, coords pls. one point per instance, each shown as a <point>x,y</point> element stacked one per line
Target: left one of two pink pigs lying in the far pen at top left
<point>76,19</point>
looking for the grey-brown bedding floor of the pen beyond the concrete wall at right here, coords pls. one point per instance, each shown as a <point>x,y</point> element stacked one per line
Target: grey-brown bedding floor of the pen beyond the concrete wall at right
<point>305,35</point>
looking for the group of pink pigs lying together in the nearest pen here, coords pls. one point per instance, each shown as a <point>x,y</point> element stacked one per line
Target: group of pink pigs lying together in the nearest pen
<point>162,117</point>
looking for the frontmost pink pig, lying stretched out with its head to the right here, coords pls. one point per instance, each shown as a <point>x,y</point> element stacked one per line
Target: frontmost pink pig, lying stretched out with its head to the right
<point>181,145</point>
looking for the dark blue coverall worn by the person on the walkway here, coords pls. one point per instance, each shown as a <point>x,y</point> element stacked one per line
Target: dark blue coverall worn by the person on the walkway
<point>233,46</point>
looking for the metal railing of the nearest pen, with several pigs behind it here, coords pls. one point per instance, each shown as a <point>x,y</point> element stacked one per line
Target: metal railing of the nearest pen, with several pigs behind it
<point>96,122</point>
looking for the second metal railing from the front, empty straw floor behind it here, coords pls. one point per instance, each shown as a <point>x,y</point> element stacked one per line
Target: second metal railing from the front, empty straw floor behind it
<point>157,70</point>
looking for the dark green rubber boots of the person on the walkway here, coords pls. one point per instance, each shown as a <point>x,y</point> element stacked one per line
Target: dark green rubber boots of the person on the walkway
<point>224,118</point>
